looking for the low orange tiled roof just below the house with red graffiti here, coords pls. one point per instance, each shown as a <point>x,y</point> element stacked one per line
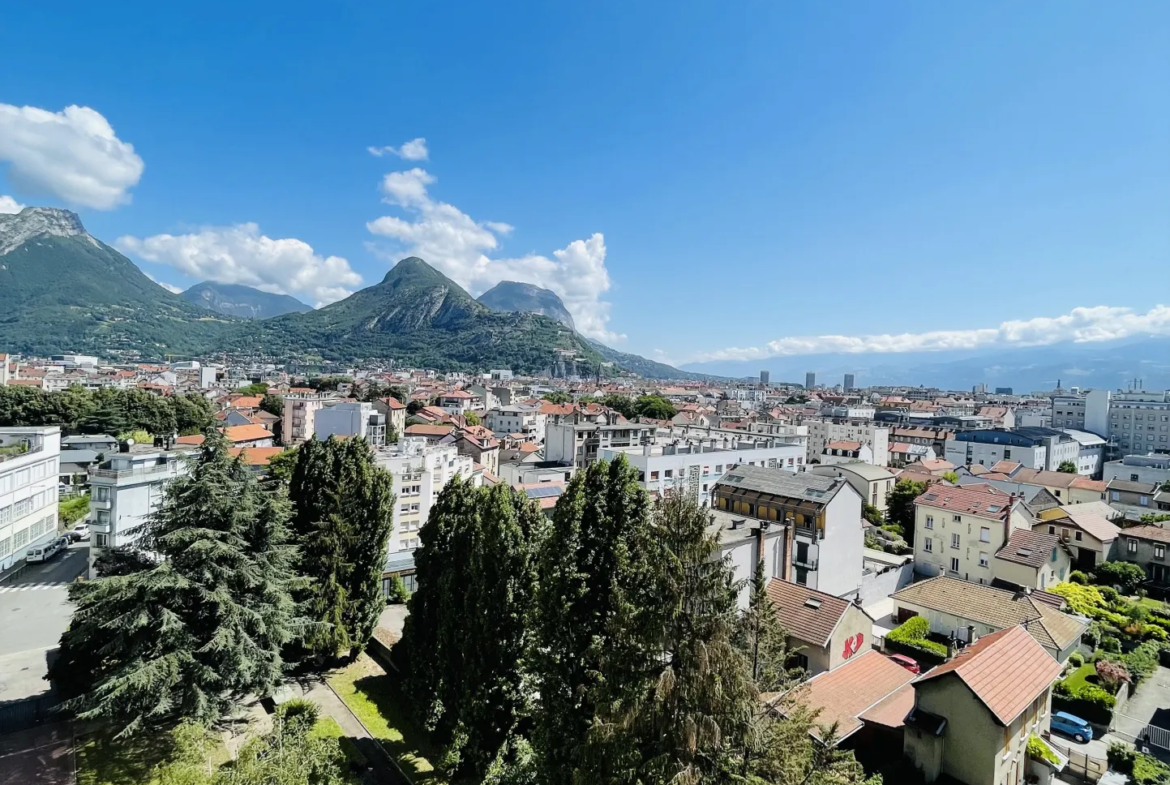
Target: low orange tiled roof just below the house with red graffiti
<point>854,690</point>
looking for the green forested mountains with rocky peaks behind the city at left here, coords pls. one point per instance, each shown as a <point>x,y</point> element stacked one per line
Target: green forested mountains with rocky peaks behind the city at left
<point>61,290</point>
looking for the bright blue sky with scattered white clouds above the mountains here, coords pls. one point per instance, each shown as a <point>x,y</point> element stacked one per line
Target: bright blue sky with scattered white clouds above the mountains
<point>718,181</point>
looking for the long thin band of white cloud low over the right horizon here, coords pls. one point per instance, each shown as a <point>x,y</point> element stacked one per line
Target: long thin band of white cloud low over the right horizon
<point>1079,326</point>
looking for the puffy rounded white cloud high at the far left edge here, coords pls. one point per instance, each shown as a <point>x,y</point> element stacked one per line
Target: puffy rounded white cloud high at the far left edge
<point>73,155</point>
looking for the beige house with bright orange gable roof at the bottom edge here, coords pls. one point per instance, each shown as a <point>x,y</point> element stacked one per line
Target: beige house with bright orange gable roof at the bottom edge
<point>973,715</point>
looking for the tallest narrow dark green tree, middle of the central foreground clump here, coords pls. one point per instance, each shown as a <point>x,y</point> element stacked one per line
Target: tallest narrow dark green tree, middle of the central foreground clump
<point>601,545</point>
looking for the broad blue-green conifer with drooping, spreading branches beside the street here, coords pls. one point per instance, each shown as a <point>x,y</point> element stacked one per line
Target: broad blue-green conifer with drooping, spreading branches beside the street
<point>205,625</point>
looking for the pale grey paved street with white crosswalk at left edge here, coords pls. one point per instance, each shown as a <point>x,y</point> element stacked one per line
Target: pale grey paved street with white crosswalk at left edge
<point>35,611</point>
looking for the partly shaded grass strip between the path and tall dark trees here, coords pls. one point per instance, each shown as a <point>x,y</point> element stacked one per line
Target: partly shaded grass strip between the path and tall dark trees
<point>374,697</point>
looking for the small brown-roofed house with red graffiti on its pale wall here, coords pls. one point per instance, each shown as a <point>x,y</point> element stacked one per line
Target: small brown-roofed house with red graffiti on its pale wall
<point>828,631</point>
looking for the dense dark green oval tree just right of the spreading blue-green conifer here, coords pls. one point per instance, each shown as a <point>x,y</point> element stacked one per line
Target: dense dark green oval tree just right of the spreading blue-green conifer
<point>343,515</point>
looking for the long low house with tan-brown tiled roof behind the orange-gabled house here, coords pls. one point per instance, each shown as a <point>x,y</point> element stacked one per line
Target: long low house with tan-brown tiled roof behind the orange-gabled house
<point>963,611</point>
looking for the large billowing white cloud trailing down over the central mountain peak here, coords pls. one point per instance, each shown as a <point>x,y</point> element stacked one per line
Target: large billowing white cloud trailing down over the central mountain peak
<point>460,246</point>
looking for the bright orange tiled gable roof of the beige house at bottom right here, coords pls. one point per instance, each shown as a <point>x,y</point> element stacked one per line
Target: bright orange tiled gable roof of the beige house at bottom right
<point>1007,671</point>
